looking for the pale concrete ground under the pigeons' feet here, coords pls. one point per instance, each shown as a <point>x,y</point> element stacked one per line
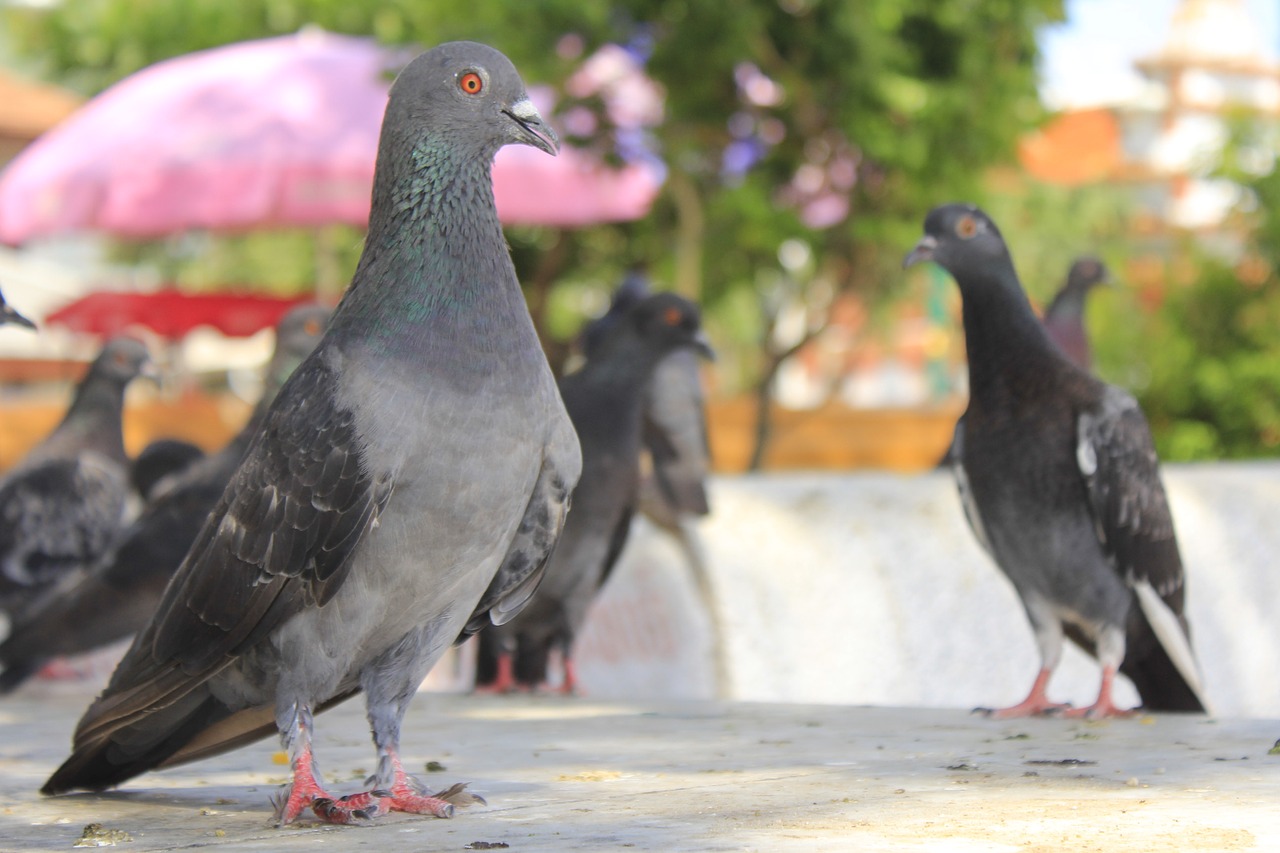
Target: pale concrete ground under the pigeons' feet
<point>565,774</point>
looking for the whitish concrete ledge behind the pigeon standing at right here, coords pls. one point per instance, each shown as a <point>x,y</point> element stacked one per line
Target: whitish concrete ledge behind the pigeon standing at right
<point>870,590</point>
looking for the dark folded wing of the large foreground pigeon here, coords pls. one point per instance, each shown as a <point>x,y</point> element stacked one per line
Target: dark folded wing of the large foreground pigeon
<point>278,542</point>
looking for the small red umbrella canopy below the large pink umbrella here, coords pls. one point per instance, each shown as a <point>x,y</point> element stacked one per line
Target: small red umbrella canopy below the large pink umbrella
<point>171,313</point>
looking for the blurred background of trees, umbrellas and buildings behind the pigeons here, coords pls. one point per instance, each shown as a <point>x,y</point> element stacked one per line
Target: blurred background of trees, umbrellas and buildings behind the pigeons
<point>771,159</point>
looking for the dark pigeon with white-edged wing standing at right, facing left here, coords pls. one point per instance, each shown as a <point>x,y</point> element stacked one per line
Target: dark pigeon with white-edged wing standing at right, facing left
<point>1060,483</point>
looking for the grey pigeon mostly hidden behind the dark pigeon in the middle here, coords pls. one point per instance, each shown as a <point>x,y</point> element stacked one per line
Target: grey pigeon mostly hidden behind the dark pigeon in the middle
<point>675,421</point>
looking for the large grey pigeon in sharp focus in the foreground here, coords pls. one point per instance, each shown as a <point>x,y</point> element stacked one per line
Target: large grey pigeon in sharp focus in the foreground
<point>405,490</point>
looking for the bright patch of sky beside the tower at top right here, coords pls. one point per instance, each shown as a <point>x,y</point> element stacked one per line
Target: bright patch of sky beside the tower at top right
<point>1090,60</point>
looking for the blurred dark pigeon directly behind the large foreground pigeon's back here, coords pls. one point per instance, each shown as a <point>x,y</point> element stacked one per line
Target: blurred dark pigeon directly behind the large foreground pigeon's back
<point>118,596</point>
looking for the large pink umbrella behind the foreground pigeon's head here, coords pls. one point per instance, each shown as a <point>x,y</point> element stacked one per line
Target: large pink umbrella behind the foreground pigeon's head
<point>272,133</point>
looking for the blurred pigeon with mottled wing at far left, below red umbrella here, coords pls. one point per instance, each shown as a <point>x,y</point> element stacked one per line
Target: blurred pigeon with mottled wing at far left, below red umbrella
<point>62,505</point>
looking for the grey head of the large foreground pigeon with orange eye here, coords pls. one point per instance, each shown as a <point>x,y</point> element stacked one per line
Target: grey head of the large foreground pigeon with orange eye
<point>476,94</point>
